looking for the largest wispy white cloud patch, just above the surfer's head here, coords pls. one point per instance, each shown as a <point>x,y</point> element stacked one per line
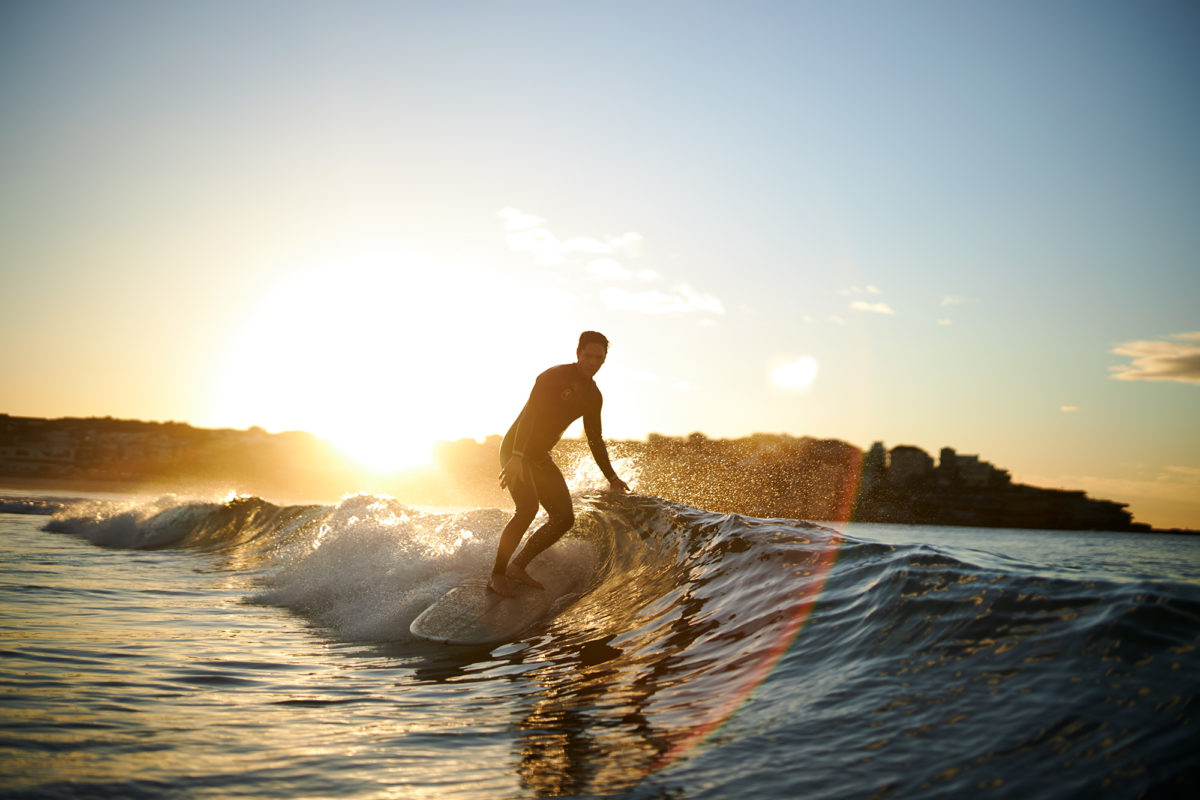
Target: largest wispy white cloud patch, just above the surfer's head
<point>604,260</point>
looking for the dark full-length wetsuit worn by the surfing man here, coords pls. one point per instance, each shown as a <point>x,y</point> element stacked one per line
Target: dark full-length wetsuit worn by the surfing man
<point>560,396</point>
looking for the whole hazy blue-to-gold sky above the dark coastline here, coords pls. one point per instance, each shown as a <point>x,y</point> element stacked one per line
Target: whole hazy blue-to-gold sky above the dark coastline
<point>969,225</point>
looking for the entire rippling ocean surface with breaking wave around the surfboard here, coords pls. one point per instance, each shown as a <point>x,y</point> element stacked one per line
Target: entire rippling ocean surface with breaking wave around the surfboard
<point>173,648</point>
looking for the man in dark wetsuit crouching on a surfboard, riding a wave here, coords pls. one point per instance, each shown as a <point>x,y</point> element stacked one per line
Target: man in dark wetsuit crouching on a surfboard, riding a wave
<point>560,396</point>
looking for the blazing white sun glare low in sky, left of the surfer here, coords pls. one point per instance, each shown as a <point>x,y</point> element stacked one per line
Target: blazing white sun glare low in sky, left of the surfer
<point>367,352</point>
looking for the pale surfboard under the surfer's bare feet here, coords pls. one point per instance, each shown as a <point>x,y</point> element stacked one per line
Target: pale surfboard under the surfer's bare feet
<point>471,615</point>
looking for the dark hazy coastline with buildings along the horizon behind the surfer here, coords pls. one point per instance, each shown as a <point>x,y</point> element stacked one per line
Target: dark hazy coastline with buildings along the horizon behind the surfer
<point>764,476</point>
